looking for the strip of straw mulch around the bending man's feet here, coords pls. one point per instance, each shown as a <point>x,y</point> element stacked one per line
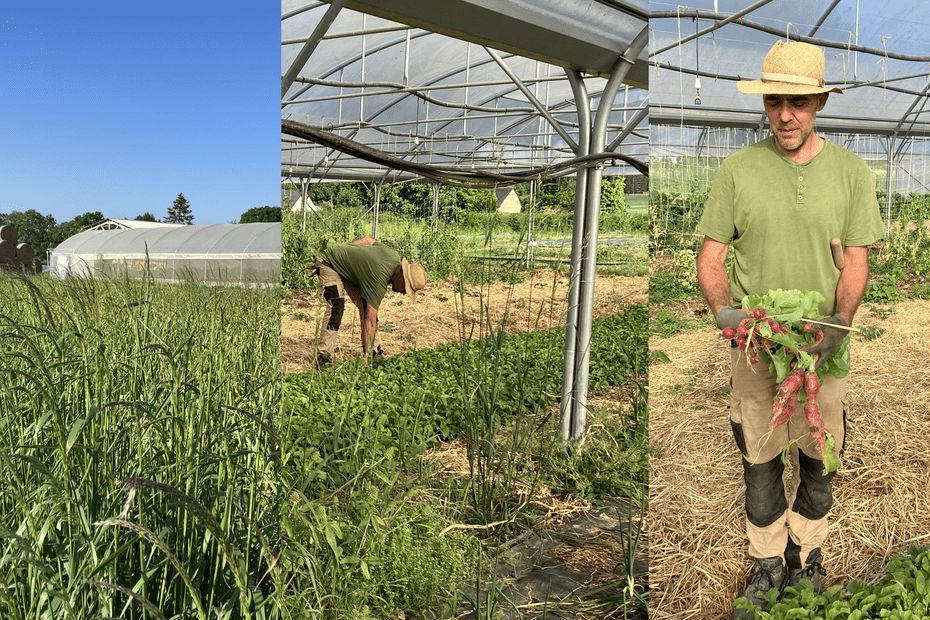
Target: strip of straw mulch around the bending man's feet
<point>436,317</point>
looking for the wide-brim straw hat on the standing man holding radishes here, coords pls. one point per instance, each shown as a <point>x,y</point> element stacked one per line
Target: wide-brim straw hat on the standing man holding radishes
<point>790,68</point>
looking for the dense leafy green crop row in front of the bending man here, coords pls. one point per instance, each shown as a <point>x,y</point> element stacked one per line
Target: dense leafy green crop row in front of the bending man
<point>396,409</point>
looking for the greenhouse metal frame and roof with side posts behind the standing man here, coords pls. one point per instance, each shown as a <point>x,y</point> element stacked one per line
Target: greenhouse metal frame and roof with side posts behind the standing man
<point>880,60</point>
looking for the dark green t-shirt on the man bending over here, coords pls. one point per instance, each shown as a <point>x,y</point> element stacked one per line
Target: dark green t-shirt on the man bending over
<point>369,267</point>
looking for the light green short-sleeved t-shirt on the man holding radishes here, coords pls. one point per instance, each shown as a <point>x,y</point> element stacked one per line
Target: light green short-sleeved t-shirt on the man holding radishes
<point>780,216</point>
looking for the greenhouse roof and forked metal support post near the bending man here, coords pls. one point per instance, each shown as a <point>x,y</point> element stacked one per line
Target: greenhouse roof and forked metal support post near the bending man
<point>473,94</point>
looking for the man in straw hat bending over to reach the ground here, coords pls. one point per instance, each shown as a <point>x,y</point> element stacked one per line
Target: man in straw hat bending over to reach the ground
<point>362,270</point>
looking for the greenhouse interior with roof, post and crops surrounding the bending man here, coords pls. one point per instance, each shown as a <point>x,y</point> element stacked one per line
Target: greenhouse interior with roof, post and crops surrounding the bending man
<point>496,143</point>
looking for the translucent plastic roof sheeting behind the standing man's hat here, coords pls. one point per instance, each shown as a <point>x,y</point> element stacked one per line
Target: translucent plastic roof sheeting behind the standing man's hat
<point>880,88</point>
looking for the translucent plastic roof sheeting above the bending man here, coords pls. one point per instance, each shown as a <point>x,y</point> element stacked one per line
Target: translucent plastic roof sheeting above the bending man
<point>438,100</point>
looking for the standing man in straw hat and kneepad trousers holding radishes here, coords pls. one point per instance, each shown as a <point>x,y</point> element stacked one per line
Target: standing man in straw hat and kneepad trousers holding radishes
<point>778,203</point>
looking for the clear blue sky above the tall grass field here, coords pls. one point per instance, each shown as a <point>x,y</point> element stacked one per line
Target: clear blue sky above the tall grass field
<point>119,106</point>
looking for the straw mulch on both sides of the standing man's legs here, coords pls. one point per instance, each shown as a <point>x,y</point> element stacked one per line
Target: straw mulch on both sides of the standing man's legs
<point>697,546</point>
